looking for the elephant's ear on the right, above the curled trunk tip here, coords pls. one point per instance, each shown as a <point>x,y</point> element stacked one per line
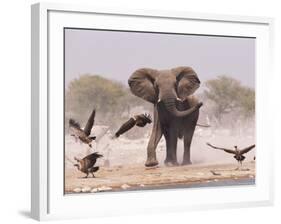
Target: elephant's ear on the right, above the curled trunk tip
<point>188,81</point>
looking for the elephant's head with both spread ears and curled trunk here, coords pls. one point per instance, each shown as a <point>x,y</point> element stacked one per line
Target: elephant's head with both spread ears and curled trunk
<point>167,86</point>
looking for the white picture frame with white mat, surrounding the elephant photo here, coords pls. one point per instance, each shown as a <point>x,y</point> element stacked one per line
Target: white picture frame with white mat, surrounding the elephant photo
<point>48,200</point>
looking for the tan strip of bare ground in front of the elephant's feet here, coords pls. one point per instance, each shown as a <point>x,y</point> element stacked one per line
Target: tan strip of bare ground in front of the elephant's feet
<point>135,177</point>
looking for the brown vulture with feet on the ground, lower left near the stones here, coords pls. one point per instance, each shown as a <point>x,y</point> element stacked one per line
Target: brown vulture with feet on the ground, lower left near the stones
<point>86,165</point>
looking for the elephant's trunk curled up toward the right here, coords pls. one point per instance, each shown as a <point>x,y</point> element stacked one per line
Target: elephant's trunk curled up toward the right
<point>170,104</point>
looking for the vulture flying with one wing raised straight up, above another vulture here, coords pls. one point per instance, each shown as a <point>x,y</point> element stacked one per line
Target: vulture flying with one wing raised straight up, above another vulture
<point>83,135</point>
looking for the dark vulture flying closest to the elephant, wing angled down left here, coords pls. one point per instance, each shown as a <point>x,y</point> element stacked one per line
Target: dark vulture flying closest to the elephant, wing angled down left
<point>139,120</point>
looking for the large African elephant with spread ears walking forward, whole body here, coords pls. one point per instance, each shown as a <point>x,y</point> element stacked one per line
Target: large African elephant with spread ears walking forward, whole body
<point>176,111</point>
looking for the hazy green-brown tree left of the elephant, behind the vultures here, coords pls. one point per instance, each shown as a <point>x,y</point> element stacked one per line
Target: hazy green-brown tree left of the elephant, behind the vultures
<point>110,98</point>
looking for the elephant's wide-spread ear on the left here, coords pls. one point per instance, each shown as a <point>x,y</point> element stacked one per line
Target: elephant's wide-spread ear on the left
<point>141,84</point>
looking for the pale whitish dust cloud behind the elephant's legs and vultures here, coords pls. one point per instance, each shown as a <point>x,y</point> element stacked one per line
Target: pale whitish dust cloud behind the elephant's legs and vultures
<point>128,150</point>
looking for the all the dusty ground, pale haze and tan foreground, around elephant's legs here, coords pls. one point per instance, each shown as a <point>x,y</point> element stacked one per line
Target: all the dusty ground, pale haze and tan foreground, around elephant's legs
<point>127,158</point>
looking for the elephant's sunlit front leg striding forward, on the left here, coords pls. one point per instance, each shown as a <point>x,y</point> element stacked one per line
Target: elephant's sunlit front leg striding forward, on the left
<point>153,142</point>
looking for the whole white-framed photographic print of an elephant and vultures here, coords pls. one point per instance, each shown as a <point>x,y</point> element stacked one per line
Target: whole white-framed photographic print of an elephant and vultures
<point>154,111</point>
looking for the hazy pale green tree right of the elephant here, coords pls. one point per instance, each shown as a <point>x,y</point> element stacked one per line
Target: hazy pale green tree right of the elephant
<point>228,95</point>
